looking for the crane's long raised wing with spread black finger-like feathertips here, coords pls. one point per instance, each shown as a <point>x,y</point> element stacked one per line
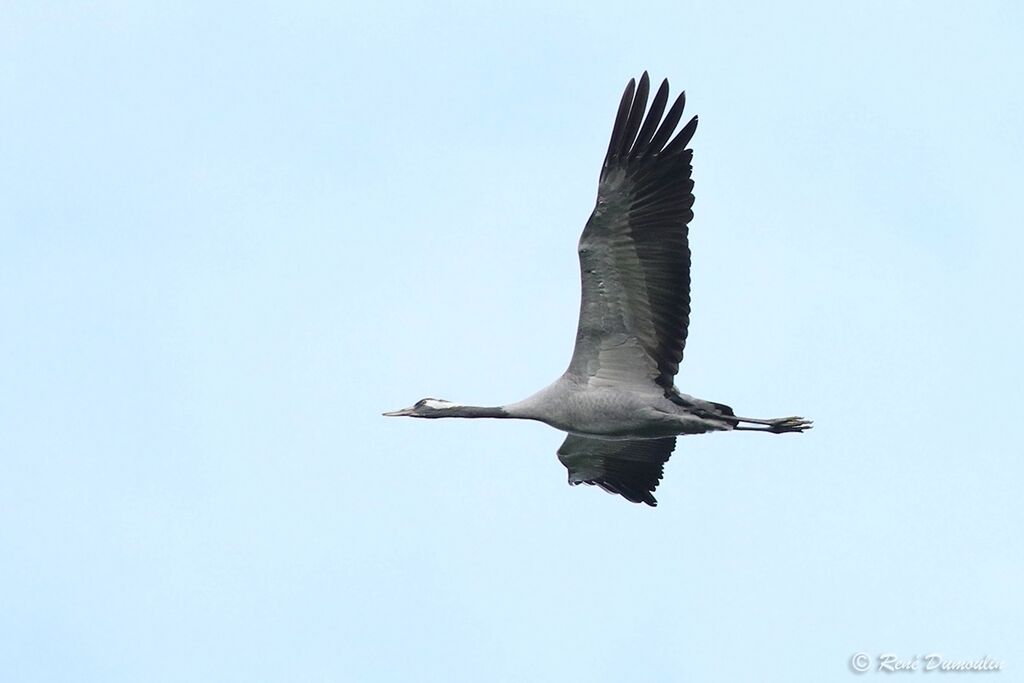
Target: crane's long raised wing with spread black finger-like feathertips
<point>634,255</point>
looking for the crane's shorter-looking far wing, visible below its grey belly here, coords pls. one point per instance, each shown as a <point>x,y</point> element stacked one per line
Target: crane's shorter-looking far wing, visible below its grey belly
<point>630,468</point>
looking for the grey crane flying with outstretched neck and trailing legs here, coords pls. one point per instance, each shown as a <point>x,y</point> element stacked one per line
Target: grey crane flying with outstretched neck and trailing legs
<point>618,400</point>
